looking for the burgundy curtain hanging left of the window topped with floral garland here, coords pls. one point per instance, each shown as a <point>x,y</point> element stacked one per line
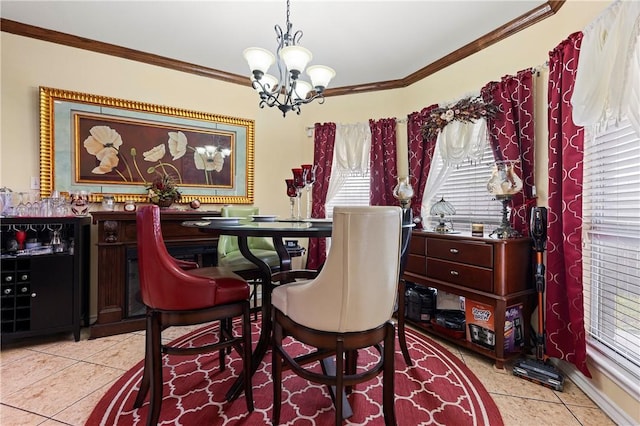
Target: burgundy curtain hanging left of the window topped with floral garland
<point>420,155</point>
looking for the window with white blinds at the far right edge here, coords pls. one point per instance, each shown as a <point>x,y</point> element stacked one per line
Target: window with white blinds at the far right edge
<point>611,244</point>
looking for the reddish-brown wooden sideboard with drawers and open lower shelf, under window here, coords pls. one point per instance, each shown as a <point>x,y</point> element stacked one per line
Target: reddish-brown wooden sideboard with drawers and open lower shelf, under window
<point>492,272</point>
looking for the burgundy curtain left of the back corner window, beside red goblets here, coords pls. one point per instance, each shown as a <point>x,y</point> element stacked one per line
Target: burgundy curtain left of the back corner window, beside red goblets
<point>323,144</point>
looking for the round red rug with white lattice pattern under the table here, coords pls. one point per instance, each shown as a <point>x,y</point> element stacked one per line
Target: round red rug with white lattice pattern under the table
<point>437,390</point>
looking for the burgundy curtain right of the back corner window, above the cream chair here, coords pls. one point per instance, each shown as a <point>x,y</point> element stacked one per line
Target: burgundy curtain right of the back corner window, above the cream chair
<point>383,162</point>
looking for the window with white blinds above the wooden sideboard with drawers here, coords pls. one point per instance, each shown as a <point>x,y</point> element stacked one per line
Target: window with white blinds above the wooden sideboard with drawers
<point>466,190</point>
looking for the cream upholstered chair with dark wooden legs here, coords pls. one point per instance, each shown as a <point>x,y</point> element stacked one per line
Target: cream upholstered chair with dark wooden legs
<point>347,307</point>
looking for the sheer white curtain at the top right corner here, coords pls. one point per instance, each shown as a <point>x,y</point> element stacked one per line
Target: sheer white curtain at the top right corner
<point>608,74</point>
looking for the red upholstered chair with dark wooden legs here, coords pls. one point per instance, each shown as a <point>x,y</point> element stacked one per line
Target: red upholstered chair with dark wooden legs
<point>176,294</point>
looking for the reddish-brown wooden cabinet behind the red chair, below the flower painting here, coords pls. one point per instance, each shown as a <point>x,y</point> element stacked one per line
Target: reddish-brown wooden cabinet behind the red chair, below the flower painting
<point>117,262</point>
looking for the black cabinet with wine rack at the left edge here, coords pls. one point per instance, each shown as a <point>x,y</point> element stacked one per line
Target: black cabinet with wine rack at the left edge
<point>44,291</point>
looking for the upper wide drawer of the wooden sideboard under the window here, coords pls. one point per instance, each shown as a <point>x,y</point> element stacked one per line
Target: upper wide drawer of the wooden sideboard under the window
<point>471,252</point>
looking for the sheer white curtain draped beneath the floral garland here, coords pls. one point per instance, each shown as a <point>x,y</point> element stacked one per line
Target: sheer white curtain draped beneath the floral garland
<point>457,142</point>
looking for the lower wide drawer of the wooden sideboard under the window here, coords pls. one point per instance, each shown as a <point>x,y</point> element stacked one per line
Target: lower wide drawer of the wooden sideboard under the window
<point>457,273</point>
